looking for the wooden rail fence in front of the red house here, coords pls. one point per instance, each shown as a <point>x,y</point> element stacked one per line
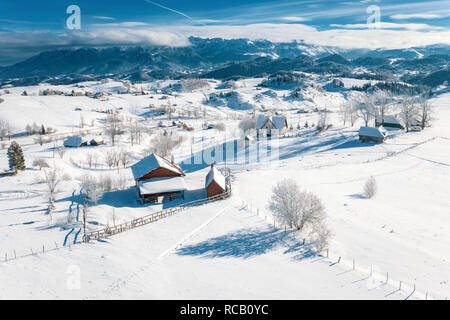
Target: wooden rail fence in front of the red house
<point>109,231</point>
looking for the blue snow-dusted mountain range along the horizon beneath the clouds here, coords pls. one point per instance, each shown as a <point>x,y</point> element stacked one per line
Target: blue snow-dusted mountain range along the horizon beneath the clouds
<point>228,58</point>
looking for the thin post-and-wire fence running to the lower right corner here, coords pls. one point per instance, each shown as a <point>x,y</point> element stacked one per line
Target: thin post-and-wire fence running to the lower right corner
<point>372,273</point>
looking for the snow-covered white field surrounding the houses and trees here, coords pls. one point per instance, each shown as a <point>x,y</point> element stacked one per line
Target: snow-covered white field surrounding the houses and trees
<point>222,250</point>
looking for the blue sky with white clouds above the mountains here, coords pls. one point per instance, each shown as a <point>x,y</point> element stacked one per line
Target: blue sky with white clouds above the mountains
<point>27,27</point>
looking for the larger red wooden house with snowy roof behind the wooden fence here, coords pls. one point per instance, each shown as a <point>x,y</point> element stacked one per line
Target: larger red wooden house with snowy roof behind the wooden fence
<point>158,179</point>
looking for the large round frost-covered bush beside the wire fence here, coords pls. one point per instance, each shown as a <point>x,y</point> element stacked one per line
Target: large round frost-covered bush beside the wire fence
<point>301,210</point>
